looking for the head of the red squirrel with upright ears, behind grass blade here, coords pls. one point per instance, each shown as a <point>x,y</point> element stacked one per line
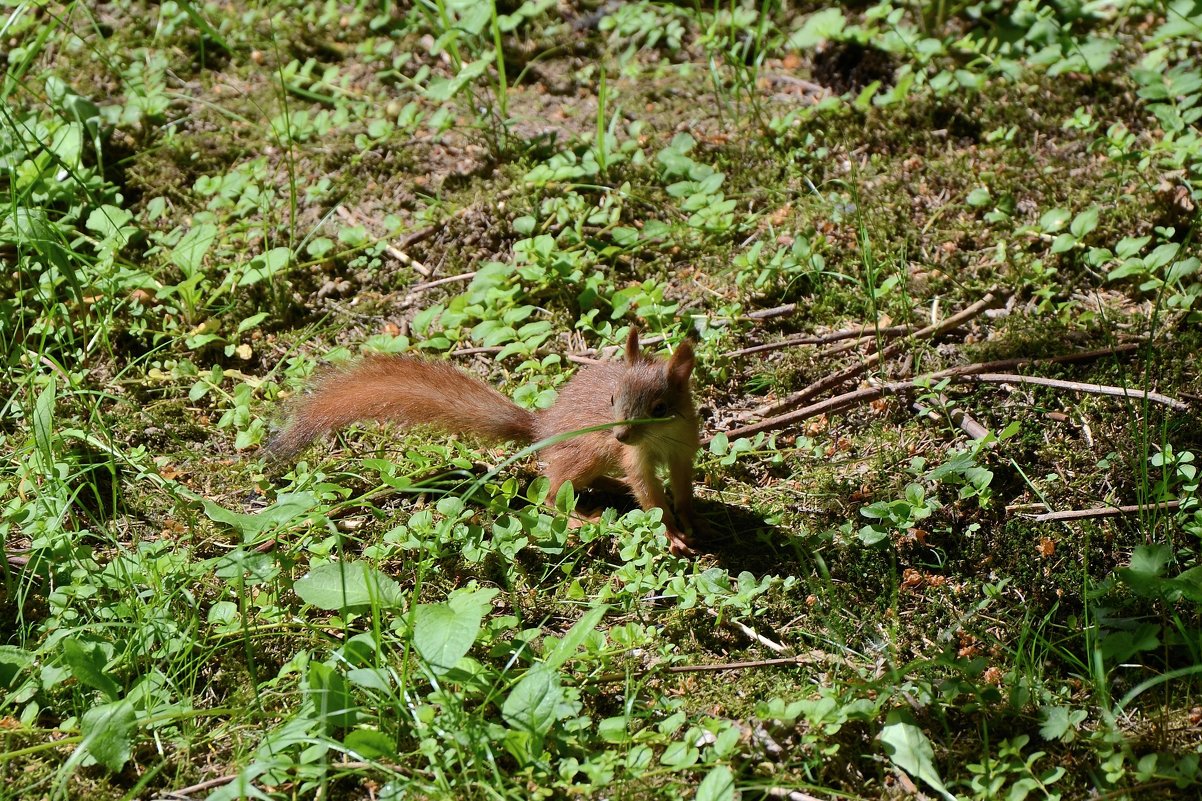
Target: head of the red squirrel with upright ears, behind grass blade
<point>652,389</point>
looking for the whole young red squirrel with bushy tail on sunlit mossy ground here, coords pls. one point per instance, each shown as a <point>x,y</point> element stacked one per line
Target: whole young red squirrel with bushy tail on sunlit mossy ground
<point>419,393</point>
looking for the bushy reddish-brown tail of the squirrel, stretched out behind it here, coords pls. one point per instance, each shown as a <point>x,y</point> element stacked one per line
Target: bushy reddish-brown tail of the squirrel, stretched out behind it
<point>412,391</point>
